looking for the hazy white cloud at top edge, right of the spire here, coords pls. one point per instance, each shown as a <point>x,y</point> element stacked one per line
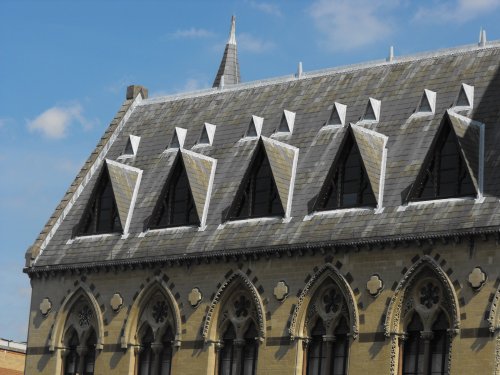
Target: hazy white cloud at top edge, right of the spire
<point>350,24</point>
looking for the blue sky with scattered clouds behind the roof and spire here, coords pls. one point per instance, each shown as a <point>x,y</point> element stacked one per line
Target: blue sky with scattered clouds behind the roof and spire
<point>65,65</point>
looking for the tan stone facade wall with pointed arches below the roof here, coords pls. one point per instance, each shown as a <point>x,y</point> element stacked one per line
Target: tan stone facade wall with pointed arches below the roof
<point>474,343</point>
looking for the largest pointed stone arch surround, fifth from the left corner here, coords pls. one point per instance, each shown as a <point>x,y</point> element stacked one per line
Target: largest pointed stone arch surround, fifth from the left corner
<point>392,324</point>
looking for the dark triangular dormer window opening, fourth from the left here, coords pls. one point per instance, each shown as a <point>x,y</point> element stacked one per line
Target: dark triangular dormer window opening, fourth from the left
<point>347,184</point>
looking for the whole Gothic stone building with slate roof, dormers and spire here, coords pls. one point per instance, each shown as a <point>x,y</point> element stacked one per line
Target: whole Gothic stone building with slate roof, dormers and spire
<point>344,221</point>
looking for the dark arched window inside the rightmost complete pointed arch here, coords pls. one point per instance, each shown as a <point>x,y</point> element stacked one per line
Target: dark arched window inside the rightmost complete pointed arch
<point>426,345</point>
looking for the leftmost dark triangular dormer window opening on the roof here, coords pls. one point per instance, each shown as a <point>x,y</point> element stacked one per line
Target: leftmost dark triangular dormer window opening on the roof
<point>101,215</point>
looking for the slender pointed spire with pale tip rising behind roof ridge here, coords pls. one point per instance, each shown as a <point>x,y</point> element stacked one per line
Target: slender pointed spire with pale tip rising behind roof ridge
<point>229,66</point>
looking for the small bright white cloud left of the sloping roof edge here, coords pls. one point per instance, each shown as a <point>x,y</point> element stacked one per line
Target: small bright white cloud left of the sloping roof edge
<point>55,121</point>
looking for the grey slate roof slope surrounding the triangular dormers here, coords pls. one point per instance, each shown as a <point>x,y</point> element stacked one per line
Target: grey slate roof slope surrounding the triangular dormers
<point>399,86</point>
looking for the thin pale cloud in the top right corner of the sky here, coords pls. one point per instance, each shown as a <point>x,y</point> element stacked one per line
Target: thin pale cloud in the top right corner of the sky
<point>456,11</point>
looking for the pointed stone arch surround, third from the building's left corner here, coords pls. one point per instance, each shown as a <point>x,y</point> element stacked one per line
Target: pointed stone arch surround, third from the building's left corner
<point>237,279</point>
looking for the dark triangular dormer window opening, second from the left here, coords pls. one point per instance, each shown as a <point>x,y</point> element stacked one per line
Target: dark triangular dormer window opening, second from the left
<point>176,206</point>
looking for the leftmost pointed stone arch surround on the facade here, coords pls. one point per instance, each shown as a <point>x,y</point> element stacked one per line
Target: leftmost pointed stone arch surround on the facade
<point>59,327</point>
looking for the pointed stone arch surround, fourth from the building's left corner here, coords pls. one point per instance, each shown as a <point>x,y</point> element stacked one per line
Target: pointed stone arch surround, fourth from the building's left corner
<point>327,271</point>
